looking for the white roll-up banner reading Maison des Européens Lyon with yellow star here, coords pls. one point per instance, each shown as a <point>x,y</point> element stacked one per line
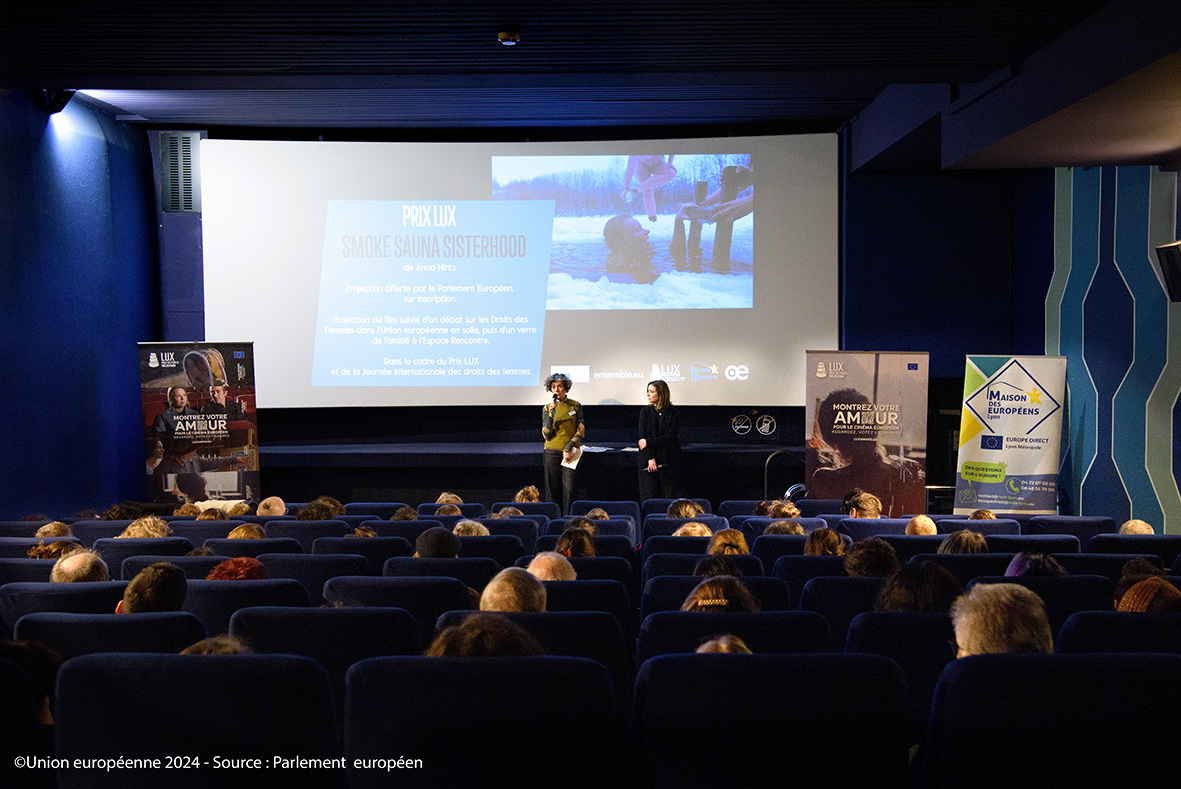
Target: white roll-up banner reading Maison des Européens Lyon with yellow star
<point>1010,435</point>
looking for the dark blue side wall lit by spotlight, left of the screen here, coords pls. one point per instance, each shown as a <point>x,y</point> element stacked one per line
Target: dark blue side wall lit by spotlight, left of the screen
<point>80,290</point>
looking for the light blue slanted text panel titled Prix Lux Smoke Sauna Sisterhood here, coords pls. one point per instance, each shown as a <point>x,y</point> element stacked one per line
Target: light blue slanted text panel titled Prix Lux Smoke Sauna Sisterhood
<point>433,294</point>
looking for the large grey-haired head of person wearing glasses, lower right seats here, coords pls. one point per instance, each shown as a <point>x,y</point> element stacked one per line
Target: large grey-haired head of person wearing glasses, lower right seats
<point>1001,618</point>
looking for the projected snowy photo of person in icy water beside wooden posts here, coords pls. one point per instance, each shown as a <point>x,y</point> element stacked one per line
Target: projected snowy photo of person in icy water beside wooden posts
<point>657,232</point>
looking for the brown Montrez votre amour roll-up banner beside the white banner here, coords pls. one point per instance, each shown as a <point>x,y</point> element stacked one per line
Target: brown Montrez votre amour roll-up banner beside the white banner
<point>869,414</point>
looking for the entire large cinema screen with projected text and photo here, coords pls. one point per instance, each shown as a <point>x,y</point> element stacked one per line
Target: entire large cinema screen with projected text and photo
<point>464,275</point>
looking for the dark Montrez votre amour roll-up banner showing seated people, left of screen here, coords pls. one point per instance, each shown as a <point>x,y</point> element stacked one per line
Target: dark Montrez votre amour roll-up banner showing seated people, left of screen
<point>201,436</point>
